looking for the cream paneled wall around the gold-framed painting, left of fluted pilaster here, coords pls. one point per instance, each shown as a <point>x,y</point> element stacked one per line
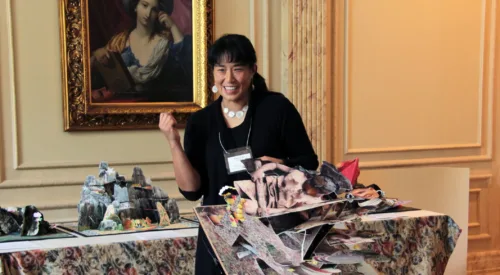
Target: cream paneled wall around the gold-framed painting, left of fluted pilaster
<point>44,166</point>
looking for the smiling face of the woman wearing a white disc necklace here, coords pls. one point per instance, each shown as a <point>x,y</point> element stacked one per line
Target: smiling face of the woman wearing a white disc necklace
<point>233,80</point>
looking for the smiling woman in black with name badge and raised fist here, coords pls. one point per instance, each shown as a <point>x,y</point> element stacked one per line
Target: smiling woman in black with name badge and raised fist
<point>246,117</point>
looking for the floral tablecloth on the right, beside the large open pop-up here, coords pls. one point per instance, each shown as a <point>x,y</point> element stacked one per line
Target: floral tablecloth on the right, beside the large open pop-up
<point>409,245</point>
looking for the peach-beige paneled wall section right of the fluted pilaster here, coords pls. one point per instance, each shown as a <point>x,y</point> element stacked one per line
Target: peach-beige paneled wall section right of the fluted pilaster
<point>415,85</point>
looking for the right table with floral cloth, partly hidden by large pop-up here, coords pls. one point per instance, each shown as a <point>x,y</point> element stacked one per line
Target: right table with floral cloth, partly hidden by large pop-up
<point>416,242</point>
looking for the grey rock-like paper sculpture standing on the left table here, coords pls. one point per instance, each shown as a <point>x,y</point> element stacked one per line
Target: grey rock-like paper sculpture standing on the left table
<point>110,202</point>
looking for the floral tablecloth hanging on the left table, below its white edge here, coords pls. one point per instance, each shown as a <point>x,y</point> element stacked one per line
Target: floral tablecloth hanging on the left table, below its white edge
<point>162,256</point>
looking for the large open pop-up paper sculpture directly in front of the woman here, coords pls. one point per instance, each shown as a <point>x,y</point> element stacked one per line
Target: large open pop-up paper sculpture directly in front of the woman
<point>293,221</point>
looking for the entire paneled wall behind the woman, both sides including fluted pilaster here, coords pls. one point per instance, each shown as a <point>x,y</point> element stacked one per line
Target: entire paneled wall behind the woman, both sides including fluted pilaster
<point>394,98</point>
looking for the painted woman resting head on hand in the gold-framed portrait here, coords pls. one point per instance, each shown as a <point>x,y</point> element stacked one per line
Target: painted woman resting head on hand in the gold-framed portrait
<point>156,53</point>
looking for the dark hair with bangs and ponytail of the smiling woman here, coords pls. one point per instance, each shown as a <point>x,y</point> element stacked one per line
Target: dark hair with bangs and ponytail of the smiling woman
<point>236,48</point>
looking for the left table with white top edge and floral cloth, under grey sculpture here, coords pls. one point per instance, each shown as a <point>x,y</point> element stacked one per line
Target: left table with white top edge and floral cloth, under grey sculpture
<point>158,252</point>
